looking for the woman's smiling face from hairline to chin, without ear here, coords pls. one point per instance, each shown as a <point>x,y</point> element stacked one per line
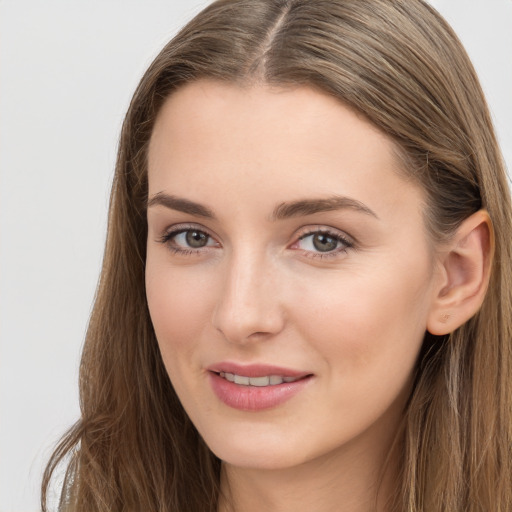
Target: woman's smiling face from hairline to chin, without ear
<point>289,275</point>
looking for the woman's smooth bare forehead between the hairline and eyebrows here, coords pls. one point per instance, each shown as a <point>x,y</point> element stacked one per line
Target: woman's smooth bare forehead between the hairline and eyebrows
<point>280,143</point>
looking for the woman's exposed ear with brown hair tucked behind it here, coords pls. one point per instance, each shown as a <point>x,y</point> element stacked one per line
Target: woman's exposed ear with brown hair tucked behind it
<point>465,268</point>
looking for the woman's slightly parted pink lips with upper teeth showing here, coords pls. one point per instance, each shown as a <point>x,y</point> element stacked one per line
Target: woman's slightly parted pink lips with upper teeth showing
<point>255,387</point>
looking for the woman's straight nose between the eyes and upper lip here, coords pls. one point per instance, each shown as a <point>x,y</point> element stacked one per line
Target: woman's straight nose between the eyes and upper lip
<point>249,308</point>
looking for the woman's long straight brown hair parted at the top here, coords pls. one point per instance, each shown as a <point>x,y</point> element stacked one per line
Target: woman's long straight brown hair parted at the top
<point>399,64</point>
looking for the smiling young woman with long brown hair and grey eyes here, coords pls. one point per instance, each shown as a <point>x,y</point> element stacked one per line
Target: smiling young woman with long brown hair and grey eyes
<point>306,293</point>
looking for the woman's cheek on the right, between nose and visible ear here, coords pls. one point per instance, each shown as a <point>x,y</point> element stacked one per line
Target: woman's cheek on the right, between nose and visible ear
<point>368,325</point>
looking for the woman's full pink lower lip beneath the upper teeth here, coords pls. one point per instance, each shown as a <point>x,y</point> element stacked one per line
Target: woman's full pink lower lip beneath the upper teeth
<point>254,398</point>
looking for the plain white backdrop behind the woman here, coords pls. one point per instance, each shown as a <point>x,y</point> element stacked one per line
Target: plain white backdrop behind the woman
<point>67,72</point>
